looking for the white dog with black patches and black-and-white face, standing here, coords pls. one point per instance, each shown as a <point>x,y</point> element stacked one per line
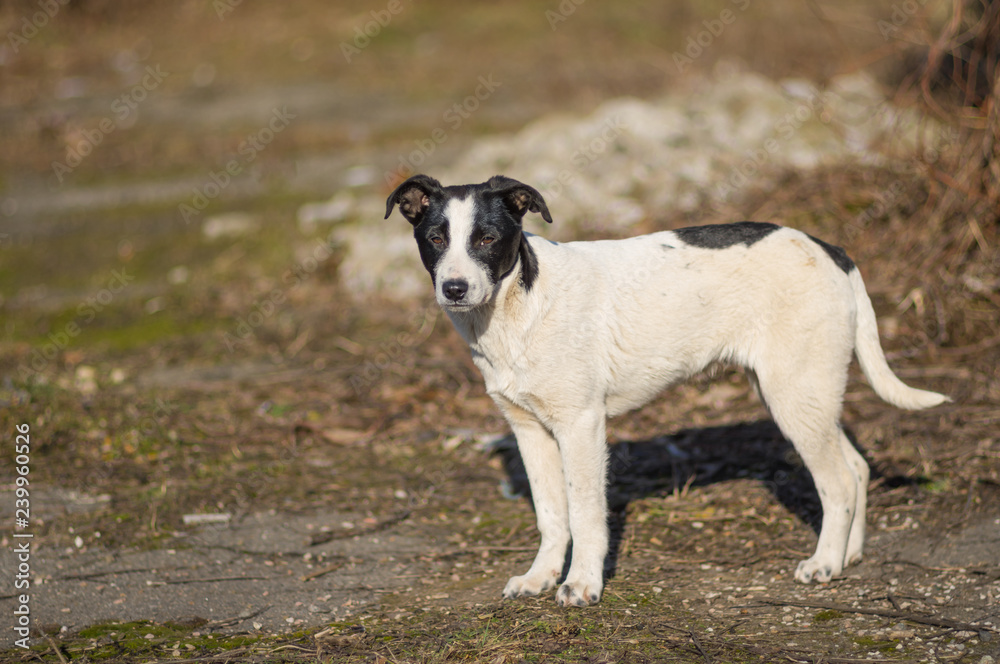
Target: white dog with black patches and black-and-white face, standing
<point>569,334</point>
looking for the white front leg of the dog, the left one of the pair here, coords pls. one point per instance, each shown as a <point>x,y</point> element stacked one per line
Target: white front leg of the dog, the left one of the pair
<point>540,454</point>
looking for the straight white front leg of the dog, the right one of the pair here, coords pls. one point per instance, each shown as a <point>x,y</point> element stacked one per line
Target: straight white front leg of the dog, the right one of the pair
<point>584,453</point>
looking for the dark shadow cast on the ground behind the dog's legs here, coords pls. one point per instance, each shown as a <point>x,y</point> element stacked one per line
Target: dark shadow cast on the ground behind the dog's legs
<point>667,464</point>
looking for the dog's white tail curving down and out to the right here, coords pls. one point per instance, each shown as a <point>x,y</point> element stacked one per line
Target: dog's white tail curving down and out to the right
<point>872,359</point>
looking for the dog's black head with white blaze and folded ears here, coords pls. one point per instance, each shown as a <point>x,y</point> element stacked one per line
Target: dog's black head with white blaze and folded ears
<point>469,236</point>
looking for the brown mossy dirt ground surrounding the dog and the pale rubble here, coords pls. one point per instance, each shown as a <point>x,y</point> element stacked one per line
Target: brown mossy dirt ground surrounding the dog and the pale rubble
<point>332,483</point>
